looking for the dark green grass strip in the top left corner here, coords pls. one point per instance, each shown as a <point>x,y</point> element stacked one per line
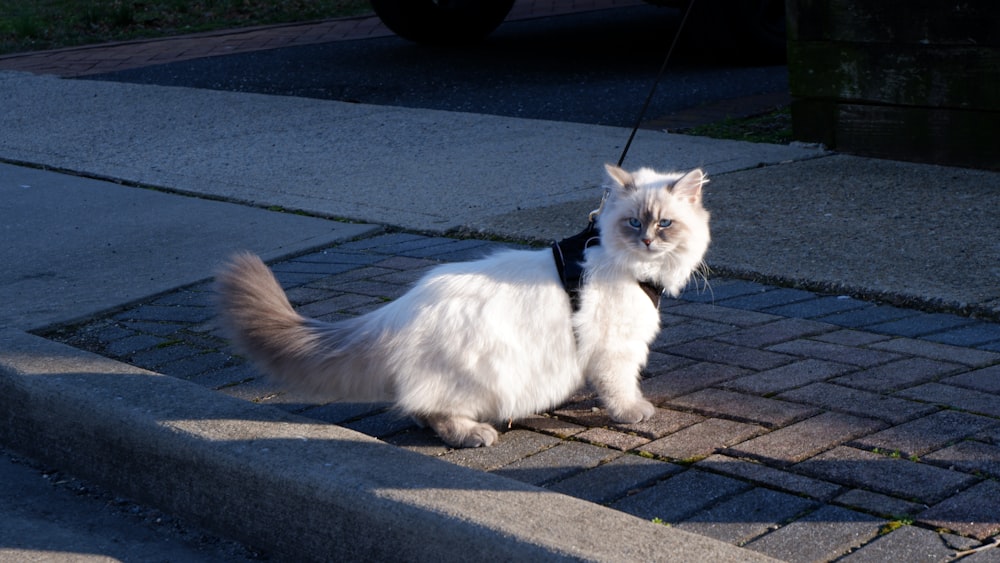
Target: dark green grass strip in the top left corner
<point>32,25</point>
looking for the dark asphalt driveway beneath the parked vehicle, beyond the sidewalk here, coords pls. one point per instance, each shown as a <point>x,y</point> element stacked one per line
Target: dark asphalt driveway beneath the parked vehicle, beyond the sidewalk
<point>592,67</point>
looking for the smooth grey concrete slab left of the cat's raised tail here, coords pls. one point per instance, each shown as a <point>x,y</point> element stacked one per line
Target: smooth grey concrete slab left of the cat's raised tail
<point>75,246</point>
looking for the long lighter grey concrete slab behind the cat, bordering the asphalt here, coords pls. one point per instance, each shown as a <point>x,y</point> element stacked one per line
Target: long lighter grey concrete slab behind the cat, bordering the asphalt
<point>416,168</point>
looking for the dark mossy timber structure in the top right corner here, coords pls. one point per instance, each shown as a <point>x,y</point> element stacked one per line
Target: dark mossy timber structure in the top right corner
<point>911,80</point>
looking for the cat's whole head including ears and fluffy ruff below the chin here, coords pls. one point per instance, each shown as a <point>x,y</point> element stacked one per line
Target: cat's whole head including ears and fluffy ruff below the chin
<point>656,220</point>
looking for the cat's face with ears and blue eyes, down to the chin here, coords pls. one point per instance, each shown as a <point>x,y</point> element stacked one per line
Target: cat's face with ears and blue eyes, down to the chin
<point>650,215</point>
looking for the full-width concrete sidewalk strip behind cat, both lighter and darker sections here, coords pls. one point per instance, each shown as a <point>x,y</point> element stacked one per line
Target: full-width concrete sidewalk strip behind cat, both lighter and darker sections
<point>841,223</point>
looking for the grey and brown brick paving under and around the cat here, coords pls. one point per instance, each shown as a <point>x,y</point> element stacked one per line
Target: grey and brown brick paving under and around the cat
<point>804,426</point>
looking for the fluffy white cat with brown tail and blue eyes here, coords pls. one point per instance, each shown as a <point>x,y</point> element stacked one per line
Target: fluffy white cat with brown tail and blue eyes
<point>481,342</point>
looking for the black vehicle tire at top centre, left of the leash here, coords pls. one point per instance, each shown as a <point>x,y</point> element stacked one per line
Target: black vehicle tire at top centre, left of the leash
<point>442,22</point>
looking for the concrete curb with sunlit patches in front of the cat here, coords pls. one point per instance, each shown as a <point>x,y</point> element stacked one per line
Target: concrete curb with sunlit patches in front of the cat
<point>239,468</point>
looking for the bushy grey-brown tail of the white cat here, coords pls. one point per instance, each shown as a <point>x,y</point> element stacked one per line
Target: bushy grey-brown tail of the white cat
<point>333,360</point>
